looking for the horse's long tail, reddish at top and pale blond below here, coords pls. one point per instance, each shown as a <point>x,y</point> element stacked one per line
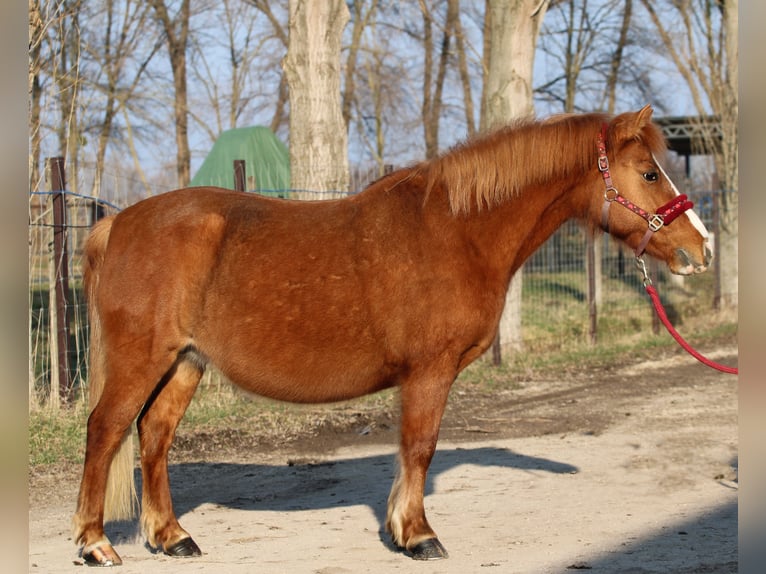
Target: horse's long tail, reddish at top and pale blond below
<point>120,502</point>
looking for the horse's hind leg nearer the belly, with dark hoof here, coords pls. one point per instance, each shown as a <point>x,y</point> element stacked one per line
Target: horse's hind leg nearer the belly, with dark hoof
<point>156,428</point>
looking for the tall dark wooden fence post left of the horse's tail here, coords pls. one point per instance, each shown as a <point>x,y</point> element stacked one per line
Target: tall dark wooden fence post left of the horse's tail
<point>61,263</point>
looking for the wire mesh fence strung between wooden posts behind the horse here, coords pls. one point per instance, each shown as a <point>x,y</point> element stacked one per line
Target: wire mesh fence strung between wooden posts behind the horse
<point>555,305</point>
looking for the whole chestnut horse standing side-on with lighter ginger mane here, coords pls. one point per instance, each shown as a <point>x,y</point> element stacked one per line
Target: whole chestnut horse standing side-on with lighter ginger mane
<point>401,285</point>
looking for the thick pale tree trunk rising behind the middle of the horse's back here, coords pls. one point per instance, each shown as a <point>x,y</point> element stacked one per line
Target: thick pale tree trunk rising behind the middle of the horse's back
<point>318,137</point>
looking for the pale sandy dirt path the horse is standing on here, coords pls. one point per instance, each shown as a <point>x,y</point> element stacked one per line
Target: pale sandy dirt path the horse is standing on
<point>630,470</point>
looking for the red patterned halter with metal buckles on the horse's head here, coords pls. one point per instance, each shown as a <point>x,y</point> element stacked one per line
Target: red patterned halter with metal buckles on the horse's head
<point>656,221</point>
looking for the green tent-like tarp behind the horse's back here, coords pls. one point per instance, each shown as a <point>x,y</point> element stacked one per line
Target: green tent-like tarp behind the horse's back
<point>267,161</point>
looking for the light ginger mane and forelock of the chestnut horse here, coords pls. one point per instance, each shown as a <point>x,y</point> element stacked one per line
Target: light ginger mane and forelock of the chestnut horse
<point>492,168</point>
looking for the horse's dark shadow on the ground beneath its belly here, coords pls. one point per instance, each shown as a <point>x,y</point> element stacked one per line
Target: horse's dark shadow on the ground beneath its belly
<point>326,484</point>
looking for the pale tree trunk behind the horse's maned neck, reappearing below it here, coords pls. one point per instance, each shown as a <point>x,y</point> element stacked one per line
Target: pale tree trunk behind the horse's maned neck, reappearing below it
<point>513,26</point>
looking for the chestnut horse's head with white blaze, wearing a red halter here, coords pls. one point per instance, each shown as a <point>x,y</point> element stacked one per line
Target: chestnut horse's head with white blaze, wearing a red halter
<point>640,205</point>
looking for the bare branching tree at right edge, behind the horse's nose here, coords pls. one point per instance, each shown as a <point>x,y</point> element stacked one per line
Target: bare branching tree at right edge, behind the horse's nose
<point>704,50</point>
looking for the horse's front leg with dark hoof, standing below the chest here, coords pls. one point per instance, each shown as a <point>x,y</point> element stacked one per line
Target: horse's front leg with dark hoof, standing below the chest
<point>422,403</point>
